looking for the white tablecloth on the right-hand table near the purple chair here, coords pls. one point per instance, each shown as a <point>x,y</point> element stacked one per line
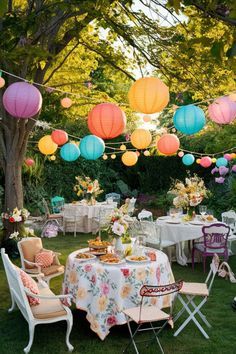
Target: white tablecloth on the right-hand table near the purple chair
<point>179,231</point>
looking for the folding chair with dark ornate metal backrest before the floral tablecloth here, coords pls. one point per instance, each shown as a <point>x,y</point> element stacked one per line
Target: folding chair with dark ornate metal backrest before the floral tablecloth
<point>144,313</point>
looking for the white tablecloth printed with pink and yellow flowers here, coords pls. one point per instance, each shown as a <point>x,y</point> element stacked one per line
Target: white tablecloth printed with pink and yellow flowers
<point>103,291</point>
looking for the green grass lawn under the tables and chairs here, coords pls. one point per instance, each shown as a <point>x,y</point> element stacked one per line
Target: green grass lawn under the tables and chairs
<point>51,338</point>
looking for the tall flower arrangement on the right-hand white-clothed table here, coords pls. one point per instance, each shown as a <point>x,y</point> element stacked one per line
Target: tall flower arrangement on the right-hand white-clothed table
<point>188,194</point>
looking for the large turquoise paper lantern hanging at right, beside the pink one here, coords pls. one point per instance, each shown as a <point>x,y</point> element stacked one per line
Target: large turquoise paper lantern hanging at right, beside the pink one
<point>189,119</point>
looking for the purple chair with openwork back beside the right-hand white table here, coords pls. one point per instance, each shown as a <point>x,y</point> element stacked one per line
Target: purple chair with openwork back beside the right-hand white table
<point>214,240</point>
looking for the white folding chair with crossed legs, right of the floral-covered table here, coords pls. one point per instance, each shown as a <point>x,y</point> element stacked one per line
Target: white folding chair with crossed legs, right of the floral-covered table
<point>189,292</point>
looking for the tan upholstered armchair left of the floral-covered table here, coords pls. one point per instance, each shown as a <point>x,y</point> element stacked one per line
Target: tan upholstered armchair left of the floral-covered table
<point>28,248</point>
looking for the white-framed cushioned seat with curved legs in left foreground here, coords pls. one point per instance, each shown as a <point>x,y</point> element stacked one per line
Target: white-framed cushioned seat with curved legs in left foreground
<point>49,310</point>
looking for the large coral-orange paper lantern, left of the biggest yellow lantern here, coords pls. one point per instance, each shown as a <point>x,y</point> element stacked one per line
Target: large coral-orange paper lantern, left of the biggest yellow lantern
<point>106,120</point>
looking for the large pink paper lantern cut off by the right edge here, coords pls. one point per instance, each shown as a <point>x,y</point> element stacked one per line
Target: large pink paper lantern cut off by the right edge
<point>222,110</point>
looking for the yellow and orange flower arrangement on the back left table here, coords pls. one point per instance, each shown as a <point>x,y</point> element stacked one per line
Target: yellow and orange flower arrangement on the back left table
<point>87,189</point>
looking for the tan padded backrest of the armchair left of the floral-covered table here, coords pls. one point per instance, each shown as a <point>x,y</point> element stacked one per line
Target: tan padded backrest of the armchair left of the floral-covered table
<point>28,247</point>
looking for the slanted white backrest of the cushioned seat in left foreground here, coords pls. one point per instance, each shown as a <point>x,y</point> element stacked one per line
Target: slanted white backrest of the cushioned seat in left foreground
<point>16,286</point>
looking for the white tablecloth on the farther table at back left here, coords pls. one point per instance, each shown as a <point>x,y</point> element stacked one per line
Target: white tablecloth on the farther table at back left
<point>88,216</point>
